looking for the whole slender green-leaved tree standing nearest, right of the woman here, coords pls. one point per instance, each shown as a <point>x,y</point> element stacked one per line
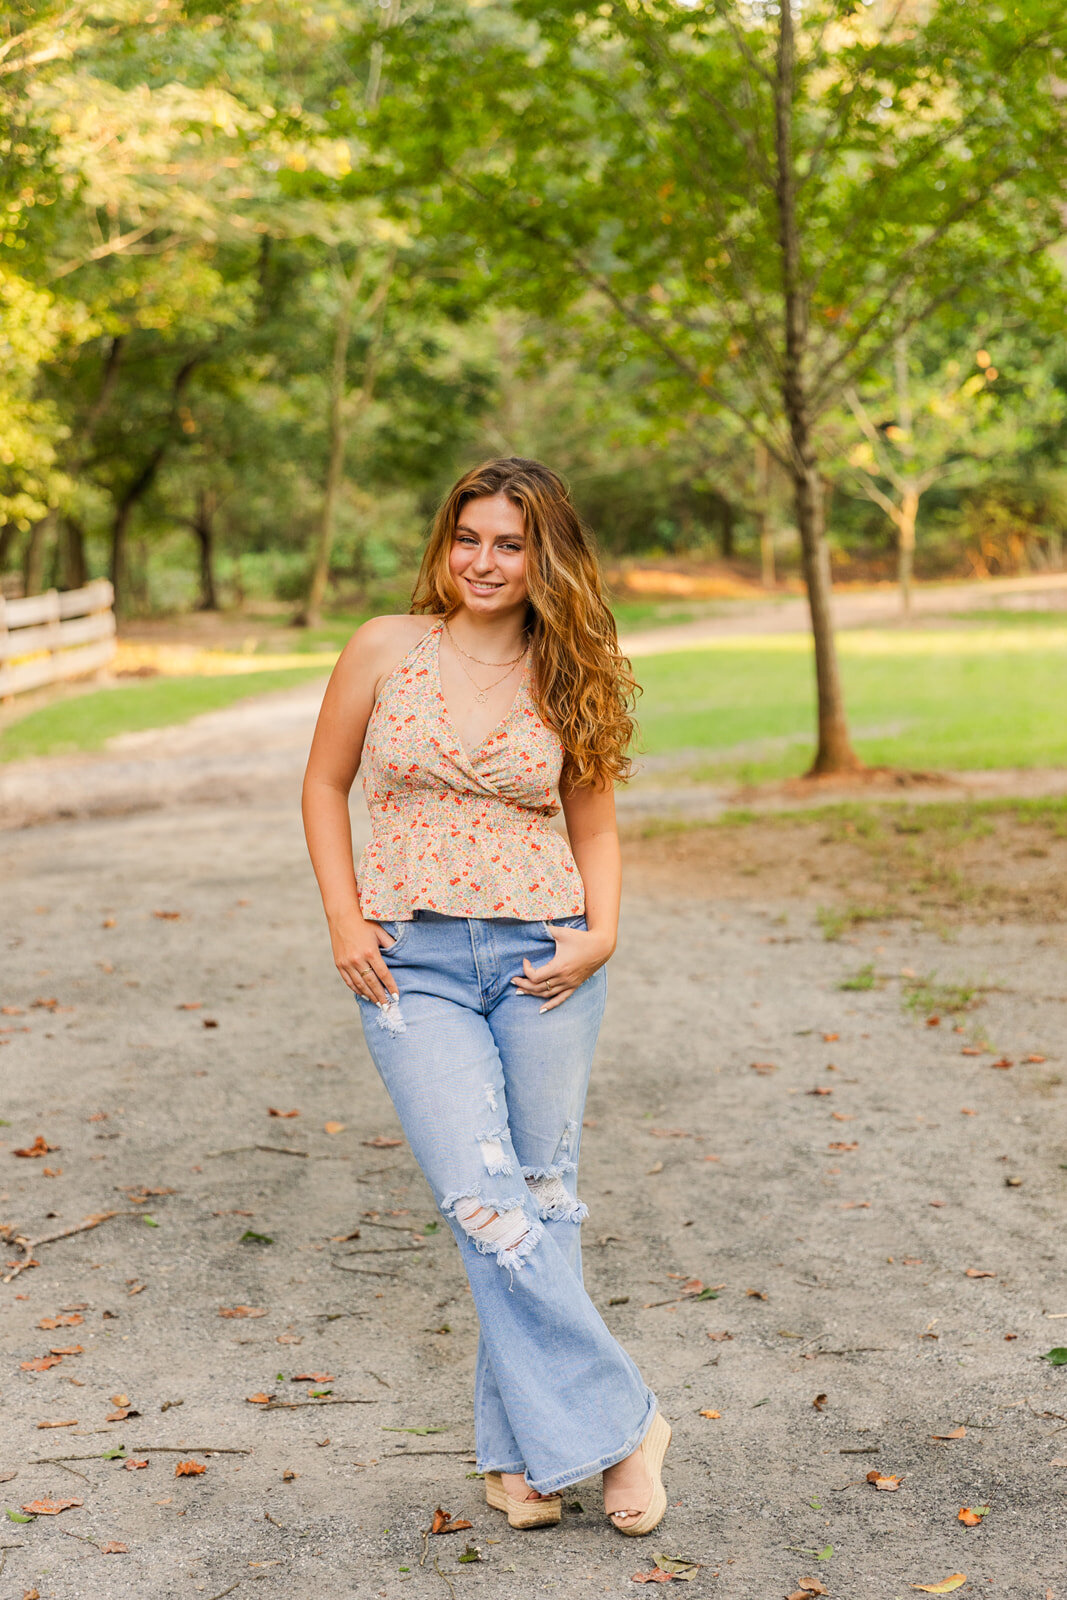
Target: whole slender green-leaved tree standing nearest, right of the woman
<point>761,194</point>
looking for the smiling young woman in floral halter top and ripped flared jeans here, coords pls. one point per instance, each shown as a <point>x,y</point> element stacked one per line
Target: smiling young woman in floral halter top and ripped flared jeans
<point>476,942</point>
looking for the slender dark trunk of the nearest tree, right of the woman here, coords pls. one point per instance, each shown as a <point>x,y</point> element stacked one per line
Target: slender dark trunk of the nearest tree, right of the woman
<point>834,753</point>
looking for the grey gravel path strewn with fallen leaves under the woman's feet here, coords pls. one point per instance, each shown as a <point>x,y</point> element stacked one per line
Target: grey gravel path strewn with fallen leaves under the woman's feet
<point>167,982</point>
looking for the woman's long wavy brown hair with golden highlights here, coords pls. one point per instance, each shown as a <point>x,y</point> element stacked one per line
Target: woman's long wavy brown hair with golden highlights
<point>583,686</point>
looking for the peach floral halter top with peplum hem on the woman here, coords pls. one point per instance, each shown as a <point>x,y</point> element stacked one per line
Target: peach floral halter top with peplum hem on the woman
<point>462,834</point>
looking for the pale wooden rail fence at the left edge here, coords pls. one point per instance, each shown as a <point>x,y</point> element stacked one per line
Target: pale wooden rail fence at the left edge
<point>62,634</point>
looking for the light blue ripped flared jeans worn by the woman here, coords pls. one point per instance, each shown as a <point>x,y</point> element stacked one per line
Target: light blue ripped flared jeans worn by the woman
<point>490,1095</point>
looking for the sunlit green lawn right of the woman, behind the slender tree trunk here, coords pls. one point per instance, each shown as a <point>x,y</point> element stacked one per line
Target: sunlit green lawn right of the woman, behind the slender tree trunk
<point>959,698</point>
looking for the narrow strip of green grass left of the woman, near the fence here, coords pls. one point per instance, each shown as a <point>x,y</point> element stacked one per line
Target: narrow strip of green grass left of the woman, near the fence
<point>86,722</point>
